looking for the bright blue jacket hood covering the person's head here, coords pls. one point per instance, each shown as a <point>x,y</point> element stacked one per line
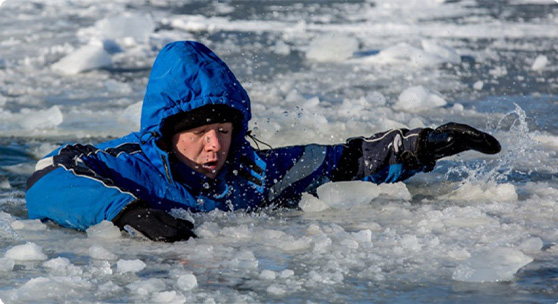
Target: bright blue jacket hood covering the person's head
<point>187,75</point>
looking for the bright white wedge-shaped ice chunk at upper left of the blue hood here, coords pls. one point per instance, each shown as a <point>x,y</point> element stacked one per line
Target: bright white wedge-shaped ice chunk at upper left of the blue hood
<point>86,58</point>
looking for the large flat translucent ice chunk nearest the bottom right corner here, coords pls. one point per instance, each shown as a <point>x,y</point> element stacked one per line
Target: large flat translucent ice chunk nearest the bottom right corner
<point>499,264</point>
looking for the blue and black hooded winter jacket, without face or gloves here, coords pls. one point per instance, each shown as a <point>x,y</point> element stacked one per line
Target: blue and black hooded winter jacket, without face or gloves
<point>78,186</point>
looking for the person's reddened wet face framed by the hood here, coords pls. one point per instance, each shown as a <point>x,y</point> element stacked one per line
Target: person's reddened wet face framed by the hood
<point>204,148</point>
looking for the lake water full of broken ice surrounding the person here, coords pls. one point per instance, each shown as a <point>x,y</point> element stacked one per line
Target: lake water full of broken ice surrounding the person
<point>476,229</point>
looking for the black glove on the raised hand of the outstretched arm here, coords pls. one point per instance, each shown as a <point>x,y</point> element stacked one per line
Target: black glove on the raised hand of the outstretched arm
<point>453,138</point>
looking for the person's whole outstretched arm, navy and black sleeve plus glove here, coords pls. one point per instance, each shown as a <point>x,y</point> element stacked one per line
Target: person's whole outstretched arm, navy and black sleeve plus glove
<point>385,157</point>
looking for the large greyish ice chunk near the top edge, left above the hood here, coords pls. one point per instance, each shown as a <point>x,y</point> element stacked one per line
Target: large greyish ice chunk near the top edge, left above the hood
<point>132,26</point>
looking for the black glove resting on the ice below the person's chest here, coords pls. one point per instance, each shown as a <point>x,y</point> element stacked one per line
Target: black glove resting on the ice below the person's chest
<point>155,224</point>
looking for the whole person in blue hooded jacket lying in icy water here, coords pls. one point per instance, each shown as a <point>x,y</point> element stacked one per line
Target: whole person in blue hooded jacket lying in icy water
<point>191,152</point>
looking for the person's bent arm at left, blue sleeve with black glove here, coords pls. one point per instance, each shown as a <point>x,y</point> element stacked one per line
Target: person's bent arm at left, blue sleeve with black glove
<point>79,186</point>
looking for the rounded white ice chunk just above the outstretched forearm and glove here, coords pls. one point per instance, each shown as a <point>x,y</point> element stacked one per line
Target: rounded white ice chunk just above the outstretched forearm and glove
<point>419,98</point>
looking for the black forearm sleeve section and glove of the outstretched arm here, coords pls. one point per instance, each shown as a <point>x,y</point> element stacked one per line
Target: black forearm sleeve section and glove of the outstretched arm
<point>418,149</point>
